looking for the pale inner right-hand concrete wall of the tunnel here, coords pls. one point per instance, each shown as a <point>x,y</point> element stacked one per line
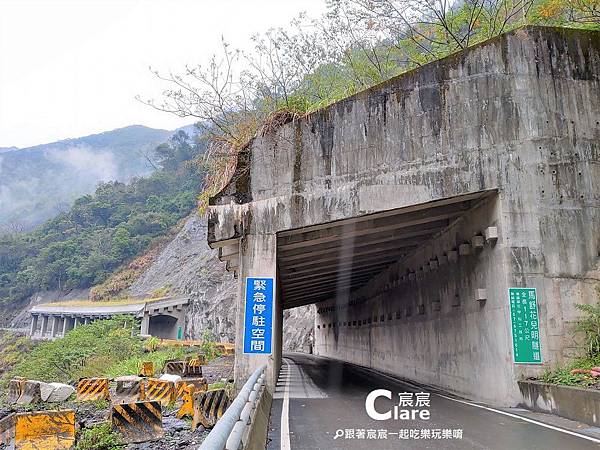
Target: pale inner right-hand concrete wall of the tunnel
<point>430,327</point>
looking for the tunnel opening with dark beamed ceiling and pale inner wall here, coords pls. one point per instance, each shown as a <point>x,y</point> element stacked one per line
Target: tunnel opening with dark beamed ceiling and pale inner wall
<point>404,291</point>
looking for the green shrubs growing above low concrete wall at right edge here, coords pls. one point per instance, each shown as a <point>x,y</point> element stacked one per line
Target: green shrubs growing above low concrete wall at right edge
<point>589,327</point>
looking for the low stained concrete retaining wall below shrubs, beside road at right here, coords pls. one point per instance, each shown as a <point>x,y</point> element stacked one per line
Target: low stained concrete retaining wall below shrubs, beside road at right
<point>578,404</point>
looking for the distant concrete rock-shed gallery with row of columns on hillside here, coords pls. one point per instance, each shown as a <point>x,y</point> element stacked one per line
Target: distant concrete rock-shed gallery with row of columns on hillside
<point>164,318</point>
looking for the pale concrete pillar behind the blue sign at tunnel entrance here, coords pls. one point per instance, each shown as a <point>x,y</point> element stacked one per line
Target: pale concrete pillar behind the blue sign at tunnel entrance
<point>258,258</point>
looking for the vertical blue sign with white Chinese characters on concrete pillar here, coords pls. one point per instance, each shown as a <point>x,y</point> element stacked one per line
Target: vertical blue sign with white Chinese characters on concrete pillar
<point>258,315</point>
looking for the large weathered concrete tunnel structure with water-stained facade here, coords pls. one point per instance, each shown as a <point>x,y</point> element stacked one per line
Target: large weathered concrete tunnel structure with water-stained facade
<point>410,212</point>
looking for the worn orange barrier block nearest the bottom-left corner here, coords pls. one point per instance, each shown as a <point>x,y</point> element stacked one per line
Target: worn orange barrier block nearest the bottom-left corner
<point>47,430</point>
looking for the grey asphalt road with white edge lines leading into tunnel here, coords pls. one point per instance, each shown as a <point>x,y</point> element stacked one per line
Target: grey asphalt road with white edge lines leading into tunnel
<point>318,399</point>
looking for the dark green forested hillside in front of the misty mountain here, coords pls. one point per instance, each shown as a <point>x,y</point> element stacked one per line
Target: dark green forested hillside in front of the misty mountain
<point>85,245</point>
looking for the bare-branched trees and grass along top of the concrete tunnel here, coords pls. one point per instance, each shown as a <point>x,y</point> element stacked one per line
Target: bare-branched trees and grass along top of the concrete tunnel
<point>315,62</point>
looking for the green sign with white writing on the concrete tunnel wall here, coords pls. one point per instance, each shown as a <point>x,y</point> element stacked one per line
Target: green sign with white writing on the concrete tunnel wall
<point>525,326</point>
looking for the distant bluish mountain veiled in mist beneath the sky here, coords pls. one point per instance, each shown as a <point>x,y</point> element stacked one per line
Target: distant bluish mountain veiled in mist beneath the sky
<point>36,183</point>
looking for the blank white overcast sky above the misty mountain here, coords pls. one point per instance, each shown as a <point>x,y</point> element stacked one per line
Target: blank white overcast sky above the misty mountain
<point>72,68</point>
